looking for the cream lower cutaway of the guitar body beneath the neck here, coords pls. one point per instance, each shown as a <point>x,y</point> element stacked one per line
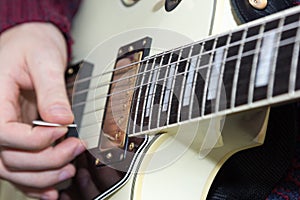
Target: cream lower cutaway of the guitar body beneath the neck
<point>188,175</point>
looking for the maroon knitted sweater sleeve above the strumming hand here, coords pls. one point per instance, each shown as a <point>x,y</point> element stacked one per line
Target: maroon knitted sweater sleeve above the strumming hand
<point>58,12</point>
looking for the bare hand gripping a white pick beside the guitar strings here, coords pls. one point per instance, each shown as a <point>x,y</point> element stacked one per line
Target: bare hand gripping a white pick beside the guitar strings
<point>33,59</point>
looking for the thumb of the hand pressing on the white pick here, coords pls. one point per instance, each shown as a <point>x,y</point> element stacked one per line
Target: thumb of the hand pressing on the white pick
<point>47,67</point>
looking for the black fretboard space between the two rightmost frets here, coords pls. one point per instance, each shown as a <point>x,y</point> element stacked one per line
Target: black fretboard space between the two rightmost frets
<point>284,58</point>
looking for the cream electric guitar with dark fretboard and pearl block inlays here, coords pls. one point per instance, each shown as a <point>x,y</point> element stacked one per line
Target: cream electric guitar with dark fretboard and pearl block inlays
<point>161,105</point>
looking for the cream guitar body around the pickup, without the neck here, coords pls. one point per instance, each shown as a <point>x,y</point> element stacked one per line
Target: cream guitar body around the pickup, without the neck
<point>181,160</point>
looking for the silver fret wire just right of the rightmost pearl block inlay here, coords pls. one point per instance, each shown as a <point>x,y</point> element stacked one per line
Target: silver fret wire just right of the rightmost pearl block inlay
<point>272,72</point>
